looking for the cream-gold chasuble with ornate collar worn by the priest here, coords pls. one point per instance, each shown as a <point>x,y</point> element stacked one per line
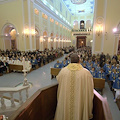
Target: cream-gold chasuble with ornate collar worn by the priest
<point>75,93</point>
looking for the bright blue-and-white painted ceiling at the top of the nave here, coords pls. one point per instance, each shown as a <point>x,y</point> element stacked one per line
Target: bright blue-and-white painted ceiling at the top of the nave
<point>78,7</point>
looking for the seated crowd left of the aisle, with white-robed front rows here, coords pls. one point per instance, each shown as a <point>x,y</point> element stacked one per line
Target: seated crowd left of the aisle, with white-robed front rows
<point>10,59</point>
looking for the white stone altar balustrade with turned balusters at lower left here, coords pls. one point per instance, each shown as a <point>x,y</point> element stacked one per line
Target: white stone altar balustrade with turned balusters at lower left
<point>11,91</point>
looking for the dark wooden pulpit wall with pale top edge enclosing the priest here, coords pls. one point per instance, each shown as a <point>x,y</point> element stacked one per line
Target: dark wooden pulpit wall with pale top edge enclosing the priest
<point>42,106</point>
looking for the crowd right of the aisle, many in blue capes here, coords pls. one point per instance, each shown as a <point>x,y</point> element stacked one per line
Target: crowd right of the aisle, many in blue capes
<point>100,65</point>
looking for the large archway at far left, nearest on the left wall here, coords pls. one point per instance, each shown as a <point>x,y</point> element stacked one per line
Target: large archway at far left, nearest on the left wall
<point>10,33</point>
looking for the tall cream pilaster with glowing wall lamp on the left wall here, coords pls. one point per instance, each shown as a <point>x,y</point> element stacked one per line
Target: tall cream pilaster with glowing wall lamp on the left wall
<point>29,24</point>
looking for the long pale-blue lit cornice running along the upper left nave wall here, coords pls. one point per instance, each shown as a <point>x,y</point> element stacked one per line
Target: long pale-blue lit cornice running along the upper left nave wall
<point>50,13</point>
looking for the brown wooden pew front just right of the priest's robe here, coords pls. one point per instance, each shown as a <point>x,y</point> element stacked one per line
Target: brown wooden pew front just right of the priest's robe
<point>99,84</point>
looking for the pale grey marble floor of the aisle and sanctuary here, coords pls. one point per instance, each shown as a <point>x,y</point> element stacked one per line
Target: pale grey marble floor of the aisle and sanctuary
<point>41,78</point>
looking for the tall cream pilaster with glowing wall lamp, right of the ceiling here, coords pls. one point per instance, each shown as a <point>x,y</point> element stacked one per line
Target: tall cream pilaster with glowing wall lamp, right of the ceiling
<point>99,23</point>
